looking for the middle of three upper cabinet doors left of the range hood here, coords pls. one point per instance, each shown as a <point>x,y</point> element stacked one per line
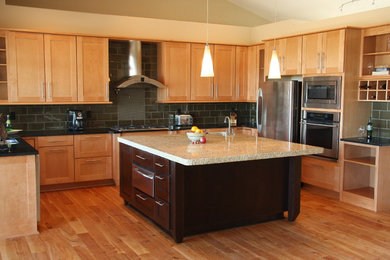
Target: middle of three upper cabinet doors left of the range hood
<point>60,68</point>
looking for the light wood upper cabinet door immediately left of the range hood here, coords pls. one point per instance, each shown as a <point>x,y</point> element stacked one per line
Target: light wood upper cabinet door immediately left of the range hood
<point>92,69</point>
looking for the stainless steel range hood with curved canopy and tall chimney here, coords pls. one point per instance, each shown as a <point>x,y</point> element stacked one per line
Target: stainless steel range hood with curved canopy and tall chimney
<point>135,69</point>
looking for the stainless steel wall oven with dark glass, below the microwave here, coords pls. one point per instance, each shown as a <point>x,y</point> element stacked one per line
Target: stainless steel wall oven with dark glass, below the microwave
<point>321,129</point>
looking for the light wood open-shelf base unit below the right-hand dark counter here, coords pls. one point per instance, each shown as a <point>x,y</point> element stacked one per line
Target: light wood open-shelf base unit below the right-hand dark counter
<point>365,176</point>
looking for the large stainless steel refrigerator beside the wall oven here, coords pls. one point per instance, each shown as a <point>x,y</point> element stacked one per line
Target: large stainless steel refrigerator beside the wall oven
<point>278,110</point>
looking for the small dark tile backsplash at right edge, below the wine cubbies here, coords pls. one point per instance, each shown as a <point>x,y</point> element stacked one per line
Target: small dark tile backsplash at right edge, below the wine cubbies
<point>381,119</point>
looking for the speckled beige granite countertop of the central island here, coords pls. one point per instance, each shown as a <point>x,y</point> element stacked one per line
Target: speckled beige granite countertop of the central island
<point>218,149</point>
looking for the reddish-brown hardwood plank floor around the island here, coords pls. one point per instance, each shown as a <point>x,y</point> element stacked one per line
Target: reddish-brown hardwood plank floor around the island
<point>94,224</point>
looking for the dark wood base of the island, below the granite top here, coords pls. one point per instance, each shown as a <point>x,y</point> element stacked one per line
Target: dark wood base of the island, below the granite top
<point>188,200</point>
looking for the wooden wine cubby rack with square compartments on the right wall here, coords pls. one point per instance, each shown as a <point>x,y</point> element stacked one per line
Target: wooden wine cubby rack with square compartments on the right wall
<point>374,90</point>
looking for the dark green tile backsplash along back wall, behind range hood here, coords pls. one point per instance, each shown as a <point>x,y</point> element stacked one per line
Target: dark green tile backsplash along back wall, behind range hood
<point>48,117</point>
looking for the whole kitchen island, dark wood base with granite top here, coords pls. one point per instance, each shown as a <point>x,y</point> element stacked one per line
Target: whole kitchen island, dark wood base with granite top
<point>193,188</point>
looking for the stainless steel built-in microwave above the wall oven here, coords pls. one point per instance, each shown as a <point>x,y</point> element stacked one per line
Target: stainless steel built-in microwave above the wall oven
<point>322,92</point>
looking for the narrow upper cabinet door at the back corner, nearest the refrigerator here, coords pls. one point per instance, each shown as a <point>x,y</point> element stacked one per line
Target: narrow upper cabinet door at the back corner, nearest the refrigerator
<point>253,72</point>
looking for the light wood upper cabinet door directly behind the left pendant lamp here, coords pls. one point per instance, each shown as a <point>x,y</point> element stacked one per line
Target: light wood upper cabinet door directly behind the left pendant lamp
<point>202,89</point>
